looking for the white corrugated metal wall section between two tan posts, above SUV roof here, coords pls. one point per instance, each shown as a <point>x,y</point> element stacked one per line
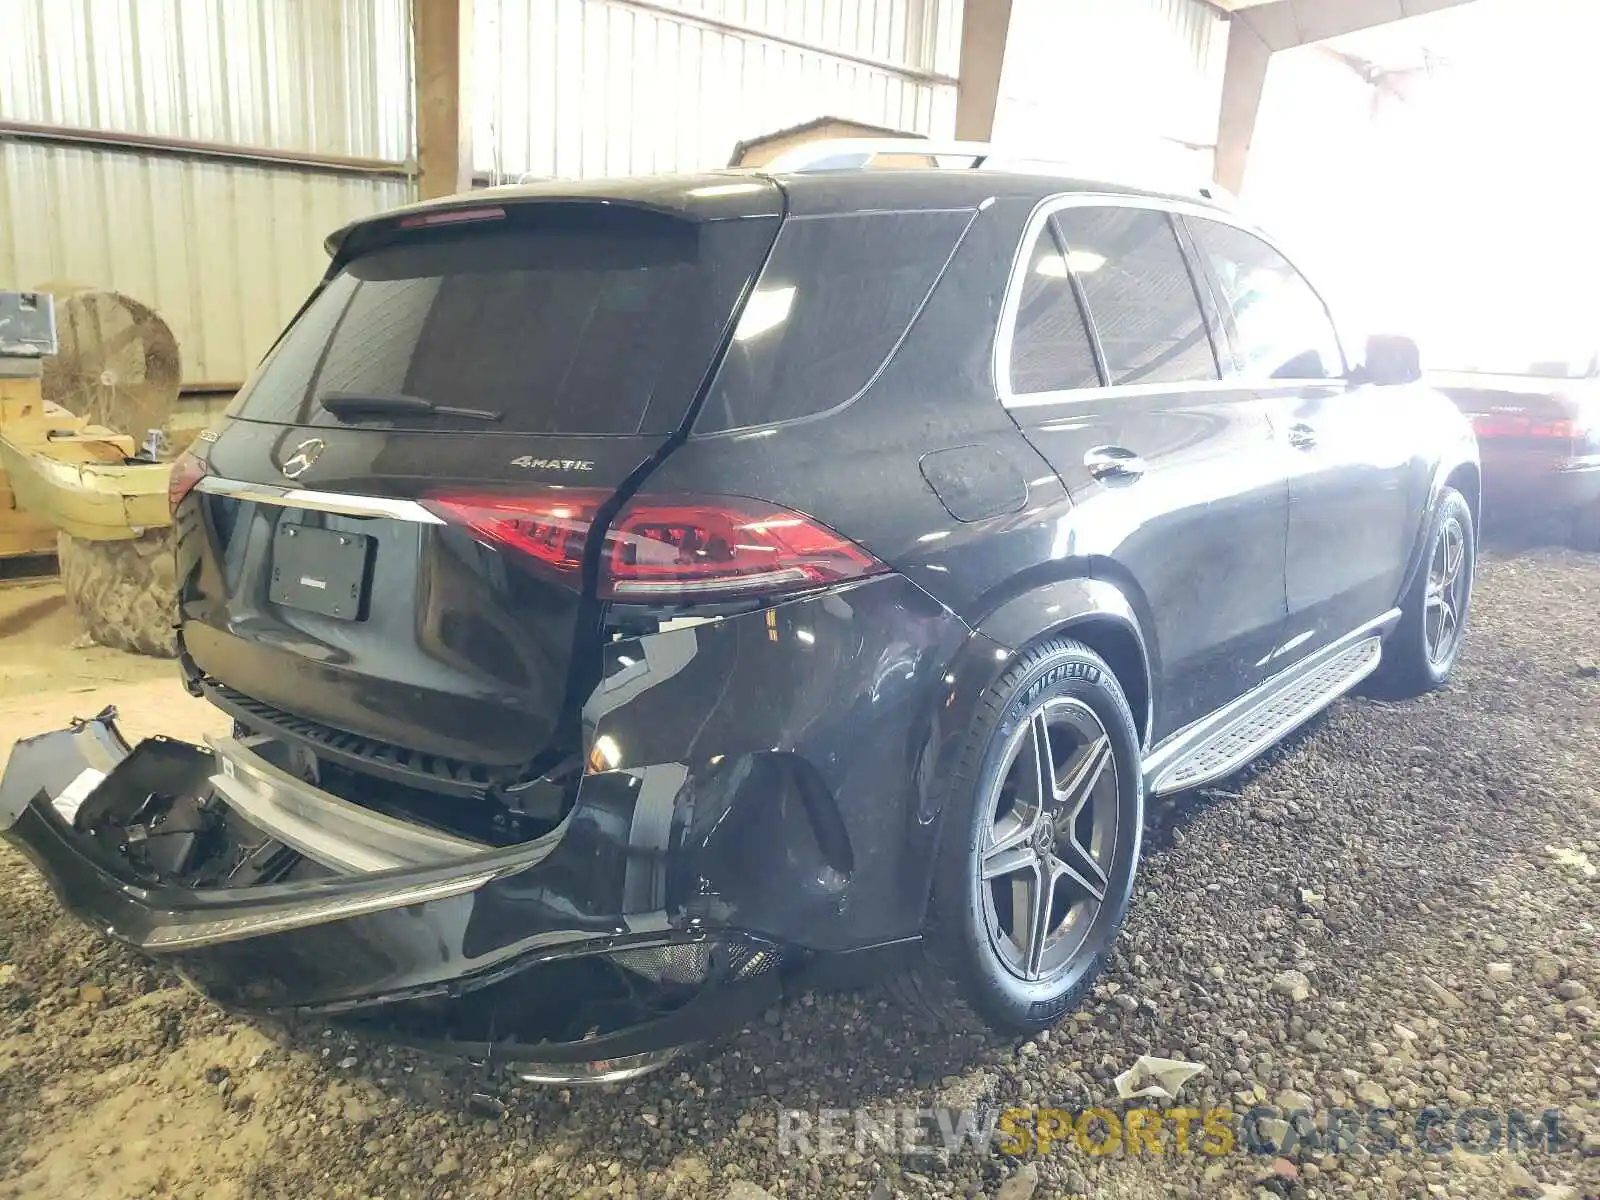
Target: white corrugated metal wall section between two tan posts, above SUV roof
<point>615,87</point>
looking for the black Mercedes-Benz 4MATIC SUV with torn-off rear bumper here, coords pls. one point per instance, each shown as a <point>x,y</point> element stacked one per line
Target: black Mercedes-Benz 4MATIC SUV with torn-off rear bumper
<point>639,598</point>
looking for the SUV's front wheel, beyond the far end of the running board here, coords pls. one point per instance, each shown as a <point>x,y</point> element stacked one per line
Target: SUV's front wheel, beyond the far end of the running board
<point>1423,649</point>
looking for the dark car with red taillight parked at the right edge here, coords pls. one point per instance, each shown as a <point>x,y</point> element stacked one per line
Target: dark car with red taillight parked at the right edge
<point>1538,426</point>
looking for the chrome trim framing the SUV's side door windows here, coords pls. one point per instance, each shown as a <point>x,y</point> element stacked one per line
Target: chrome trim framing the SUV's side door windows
<point>1014,300</point>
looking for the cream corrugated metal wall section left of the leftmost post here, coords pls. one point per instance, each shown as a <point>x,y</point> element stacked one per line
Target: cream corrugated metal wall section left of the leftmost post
<point>225,252</point>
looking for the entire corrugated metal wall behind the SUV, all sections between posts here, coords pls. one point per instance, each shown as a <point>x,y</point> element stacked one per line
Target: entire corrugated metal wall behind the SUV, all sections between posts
<point>566,87</point>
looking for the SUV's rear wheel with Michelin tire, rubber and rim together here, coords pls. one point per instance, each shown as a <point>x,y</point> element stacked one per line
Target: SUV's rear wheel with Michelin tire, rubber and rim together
<point>1039,847</point>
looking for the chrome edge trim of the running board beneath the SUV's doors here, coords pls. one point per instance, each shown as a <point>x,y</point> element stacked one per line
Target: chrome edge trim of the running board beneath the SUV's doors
<point>1166,759</point>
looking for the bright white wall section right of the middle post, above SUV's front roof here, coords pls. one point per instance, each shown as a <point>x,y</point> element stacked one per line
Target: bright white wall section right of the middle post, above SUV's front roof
<point>1089,73</point>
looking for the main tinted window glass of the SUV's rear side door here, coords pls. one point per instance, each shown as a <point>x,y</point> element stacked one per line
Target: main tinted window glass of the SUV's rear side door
<point>1140,295</point>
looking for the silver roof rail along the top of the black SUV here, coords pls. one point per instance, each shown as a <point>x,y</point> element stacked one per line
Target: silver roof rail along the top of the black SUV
<point>847,154</point>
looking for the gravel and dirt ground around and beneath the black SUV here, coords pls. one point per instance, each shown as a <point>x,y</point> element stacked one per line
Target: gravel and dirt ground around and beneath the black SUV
<point>1398,910</point>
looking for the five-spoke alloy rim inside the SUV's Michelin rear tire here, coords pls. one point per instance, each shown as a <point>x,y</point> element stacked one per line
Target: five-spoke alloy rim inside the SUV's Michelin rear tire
<point>1050,838</point>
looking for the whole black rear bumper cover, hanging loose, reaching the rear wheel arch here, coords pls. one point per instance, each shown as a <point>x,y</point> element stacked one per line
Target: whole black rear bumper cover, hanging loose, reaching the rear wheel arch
<point>769,780</point>
